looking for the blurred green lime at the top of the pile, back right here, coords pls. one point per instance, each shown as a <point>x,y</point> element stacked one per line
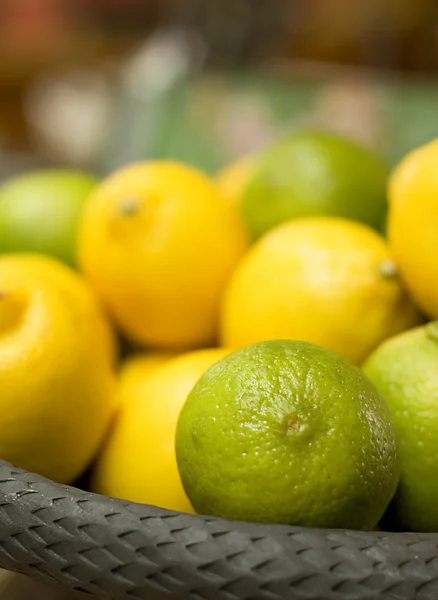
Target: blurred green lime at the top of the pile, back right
<point>311,173</point>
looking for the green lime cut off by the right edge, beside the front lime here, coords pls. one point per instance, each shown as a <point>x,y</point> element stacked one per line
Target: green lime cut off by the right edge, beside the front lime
<point>405,369</point>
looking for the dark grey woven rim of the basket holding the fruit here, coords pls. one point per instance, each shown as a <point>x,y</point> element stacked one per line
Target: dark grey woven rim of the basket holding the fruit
<point>122,550</point>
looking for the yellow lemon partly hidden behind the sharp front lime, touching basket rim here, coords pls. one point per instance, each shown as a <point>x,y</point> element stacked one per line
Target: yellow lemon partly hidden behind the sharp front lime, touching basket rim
<point>138,461</point>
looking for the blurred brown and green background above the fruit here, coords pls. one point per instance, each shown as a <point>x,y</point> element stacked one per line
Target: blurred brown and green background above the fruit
<point>98,83</point>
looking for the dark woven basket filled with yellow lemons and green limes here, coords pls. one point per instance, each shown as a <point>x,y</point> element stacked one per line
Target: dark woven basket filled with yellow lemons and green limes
<point>218,387</point>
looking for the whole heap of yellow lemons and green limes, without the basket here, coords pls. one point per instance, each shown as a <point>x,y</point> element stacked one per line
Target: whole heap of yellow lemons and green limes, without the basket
<point>281,363</point>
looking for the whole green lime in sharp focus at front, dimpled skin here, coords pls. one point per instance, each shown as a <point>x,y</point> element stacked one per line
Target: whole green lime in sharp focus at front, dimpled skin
<point>288,432</point>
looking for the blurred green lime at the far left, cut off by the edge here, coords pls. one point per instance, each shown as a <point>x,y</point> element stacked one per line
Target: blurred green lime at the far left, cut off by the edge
<point>40,210</point>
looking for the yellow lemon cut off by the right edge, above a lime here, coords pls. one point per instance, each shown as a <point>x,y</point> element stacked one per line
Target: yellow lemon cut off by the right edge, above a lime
<point>413,224</point>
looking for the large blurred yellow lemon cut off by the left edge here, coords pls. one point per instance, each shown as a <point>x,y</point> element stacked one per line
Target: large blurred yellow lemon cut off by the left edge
<point>57,383</point>
